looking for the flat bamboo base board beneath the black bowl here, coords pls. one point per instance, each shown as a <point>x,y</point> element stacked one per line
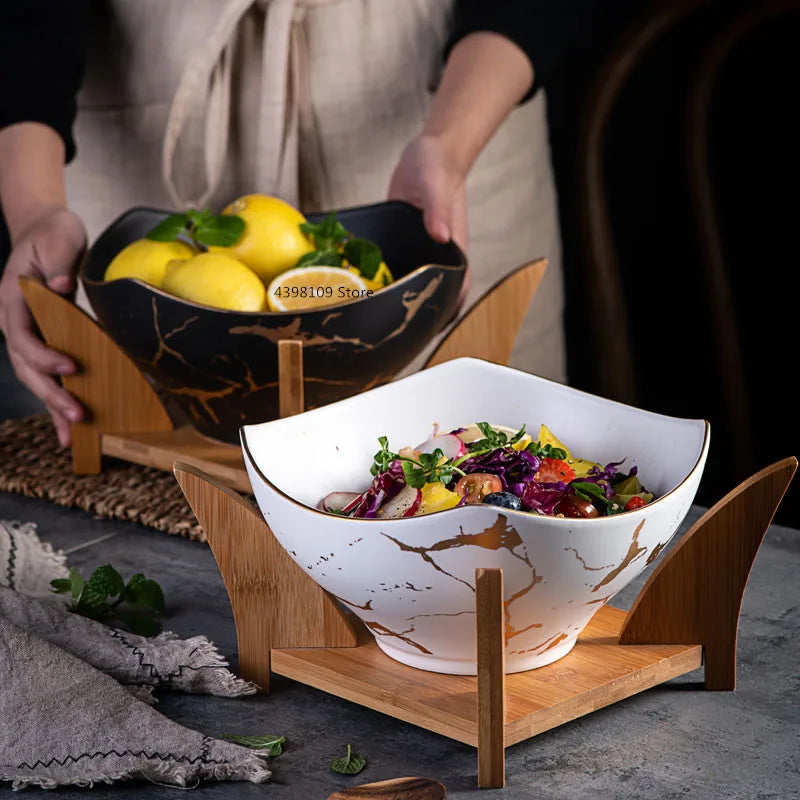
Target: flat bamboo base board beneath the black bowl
<point>160,449</point>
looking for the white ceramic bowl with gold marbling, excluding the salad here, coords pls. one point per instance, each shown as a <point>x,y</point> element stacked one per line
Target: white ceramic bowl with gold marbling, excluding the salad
<point>412,580</point>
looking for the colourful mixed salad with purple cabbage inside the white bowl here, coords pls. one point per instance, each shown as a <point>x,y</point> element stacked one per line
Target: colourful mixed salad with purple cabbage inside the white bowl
<point>495,465</point>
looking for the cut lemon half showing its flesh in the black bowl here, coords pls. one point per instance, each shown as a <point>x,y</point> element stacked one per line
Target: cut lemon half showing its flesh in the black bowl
<point>314,287</point>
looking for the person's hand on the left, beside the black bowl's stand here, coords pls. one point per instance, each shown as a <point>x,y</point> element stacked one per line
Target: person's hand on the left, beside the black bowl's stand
<point>48,249</point>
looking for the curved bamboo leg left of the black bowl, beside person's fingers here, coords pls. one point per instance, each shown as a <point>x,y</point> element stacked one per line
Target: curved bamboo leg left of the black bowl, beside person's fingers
<point>116,397</point>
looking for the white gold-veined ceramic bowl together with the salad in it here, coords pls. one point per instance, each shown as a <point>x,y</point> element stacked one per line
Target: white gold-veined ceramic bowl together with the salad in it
<point>400,549</point>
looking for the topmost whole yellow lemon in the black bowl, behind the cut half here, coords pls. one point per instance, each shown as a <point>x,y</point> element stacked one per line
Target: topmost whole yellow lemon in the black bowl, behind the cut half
<point>272,241</point>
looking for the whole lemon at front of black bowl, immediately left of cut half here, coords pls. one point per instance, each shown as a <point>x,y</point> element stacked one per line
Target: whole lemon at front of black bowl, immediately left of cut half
<point>215,280</point>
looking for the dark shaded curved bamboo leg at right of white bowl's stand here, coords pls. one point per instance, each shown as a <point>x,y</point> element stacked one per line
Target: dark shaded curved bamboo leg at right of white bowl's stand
<point>695,595</point>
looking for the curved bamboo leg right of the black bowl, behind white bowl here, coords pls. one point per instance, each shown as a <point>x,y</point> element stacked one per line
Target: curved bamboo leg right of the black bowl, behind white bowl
<point>489,329</point>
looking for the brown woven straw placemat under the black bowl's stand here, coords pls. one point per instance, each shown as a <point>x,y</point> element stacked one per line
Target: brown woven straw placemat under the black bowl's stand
<point>32,464</point>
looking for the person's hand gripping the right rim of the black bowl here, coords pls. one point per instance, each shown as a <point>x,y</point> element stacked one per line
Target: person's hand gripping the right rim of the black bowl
<point>428,178</point>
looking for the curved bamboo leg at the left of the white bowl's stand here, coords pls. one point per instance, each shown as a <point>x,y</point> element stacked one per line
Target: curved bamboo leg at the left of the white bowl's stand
<point>275,604</point>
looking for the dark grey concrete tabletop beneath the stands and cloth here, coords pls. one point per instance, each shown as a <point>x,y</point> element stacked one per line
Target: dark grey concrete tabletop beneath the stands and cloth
<point>674,741</point>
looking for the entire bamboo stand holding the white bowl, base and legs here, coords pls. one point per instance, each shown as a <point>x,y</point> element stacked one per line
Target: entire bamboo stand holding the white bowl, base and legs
<point>685,616</point>
